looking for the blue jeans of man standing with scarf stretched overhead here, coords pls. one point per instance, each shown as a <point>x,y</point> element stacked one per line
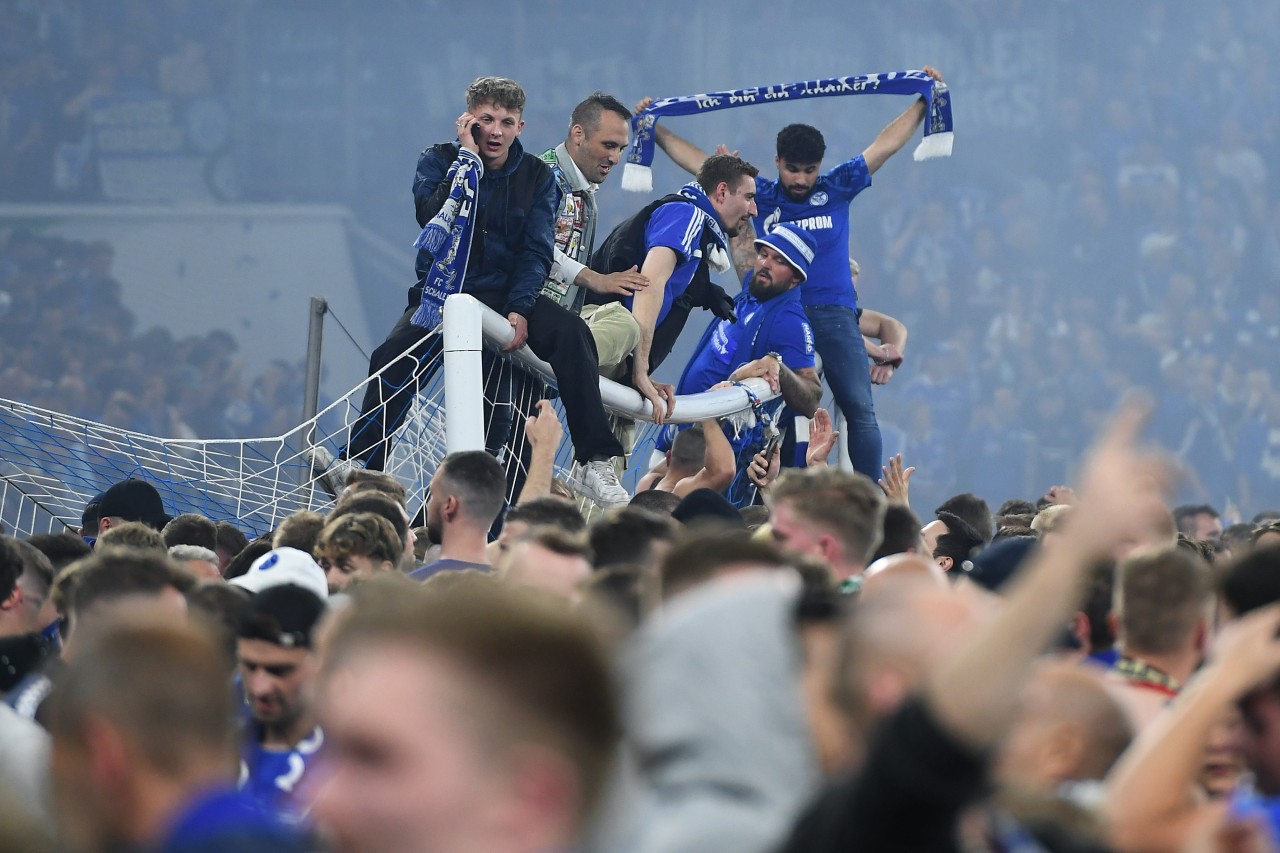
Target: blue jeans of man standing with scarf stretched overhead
<point>844,364</point>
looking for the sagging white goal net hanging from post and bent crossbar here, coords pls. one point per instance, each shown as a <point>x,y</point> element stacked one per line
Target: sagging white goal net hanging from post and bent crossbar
<point>53,464</point>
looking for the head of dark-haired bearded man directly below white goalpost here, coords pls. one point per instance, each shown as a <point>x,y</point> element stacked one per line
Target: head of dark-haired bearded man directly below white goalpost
<point>468,494</point>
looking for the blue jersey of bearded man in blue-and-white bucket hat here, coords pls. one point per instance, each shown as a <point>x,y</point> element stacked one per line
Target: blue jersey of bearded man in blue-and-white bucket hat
<point>774,326</point>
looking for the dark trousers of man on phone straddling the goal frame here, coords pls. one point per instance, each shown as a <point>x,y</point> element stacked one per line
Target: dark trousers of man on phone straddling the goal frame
<point>556,336</point>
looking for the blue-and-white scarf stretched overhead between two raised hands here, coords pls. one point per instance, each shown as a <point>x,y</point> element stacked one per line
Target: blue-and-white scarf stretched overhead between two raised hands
<point>938,129</point>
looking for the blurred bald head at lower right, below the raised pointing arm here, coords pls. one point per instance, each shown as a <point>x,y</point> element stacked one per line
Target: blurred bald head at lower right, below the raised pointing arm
<point>1069,729</point>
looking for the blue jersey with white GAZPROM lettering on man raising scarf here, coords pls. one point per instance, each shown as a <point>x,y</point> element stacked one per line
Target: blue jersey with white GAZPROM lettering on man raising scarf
<point>825,215</point>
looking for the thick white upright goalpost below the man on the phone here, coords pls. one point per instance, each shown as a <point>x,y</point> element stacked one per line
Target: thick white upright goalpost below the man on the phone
<point>464,376</point>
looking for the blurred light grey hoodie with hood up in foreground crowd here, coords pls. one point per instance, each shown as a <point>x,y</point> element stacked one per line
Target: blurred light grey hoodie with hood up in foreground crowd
<point>720,759</point>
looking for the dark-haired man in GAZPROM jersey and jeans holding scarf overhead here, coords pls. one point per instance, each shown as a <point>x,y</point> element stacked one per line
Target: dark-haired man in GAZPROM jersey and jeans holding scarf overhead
<point>819,202</point>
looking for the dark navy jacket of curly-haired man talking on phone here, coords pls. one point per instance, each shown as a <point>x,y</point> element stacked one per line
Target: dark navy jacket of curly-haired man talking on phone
<point>511,252</point>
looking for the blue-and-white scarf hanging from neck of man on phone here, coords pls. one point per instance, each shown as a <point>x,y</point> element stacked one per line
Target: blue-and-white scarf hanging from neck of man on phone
<point>449,240</point>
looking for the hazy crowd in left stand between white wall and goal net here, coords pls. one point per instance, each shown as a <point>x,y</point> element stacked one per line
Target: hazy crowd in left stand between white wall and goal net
<point>72,346</point>
